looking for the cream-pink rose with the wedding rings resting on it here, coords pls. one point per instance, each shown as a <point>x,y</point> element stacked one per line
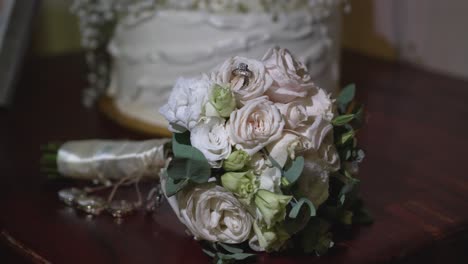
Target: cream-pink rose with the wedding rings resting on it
<point>243,89</point>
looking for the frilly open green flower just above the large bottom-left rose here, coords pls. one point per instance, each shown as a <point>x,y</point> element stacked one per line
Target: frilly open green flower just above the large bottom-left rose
<point>242,184</point>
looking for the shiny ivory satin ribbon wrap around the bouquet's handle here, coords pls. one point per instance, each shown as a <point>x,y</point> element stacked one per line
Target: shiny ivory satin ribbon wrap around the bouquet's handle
<point>111,160</point>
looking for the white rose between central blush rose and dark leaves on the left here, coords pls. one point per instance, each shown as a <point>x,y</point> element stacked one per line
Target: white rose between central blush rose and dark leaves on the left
<point>211,138</point>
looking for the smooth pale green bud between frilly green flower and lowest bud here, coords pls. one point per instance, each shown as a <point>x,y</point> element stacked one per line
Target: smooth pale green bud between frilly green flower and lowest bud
<point>272,206</point>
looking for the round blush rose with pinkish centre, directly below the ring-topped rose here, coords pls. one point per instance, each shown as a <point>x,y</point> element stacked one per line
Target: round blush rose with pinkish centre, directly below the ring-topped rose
<point>255,125</point>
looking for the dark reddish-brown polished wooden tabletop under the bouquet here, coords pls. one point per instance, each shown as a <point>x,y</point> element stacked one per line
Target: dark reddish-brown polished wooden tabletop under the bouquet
<point>415,179</point>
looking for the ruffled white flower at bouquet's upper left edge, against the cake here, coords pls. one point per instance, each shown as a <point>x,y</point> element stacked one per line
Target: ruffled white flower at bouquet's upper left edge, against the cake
<point>186,102</point>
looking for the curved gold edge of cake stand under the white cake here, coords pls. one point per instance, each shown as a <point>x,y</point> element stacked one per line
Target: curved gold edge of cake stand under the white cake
<point>107,106</point>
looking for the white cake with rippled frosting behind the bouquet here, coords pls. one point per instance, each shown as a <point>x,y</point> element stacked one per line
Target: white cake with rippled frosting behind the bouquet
<point>185,38</point>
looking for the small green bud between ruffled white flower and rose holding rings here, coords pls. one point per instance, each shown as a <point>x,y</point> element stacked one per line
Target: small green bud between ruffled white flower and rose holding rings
<point>222,100</point>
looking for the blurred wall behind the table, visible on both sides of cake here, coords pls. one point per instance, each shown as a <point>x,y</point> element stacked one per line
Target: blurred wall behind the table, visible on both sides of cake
<point>429,33</point>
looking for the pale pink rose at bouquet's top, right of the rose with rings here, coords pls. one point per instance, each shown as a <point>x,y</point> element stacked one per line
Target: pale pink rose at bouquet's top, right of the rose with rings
<point>290,76</point>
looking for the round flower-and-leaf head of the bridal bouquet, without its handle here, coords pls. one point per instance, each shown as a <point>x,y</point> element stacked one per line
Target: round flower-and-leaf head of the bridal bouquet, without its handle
<point>262,158</point>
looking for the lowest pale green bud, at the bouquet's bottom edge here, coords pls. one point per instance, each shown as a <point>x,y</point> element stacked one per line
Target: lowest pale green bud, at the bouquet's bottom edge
<point>270,239</point>
